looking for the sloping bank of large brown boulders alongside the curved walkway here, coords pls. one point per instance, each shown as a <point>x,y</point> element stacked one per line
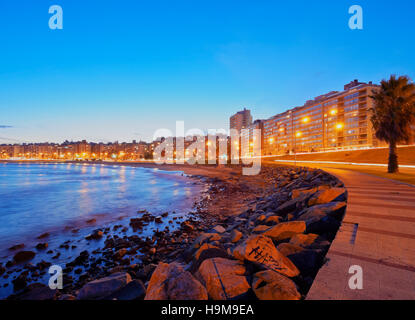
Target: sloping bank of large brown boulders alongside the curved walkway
<point>271,251</point>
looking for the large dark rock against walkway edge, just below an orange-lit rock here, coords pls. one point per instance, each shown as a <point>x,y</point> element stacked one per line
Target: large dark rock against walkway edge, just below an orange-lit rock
<point>323,218</point>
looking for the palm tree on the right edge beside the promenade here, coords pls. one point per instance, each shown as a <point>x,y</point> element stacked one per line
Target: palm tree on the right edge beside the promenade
<point>393,113</point>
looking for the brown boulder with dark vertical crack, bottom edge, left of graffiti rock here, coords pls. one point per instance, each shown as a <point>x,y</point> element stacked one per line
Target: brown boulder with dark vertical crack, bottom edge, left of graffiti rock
<point>224,278</point>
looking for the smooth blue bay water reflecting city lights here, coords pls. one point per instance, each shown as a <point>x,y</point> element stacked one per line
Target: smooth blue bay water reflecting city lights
<point>58,198</point>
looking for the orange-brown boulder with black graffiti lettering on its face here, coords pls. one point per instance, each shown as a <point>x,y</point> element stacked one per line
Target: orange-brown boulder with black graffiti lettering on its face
<point>261,250</point>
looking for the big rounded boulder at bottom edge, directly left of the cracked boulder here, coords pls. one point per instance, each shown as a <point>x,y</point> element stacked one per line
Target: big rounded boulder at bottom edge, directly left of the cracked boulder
<point>172,282</point>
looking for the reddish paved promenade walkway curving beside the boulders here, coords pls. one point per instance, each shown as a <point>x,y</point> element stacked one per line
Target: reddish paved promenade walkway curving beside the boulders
<point>378,234</point>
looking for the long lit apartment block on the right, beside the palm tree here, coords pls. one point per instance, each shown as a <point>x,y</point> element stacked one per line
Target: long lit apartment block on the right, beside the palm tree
<point>336,120</point>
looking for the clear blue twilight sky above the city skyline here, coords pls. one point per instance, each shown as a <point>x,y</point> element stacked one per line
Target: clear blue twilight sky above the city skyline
<point>119,70</point>
